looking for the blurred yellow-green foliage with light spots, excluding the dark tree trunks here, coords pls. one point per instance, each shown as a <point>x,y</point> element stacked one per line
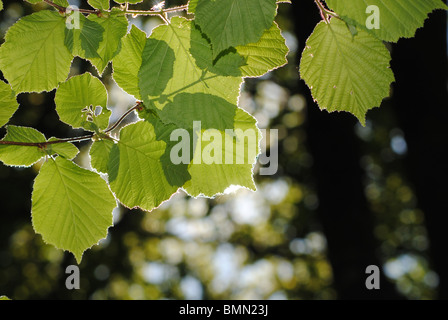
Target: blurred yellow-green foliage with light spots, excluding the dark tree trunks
<point>244,245</point>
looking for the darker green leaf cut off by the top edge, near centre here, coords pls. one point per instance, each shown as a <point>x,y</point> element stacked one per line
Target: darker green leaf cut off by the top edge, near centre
<point>230,23</point>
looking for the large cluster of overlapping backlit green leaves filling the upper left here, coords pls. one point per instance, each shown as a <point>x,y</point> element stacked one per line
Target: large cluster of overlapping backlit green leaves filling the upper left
<point>188,71</point>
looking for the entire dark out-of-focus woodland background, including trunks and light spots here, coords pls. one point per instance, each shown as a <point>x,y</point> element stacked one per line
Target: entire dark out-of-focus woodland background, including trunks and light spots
<point>344,197</point>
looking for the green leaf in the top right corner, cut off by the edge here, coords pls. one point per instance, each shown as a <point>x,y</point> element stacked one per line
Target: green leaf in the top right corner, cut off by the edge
<point>397,19</point>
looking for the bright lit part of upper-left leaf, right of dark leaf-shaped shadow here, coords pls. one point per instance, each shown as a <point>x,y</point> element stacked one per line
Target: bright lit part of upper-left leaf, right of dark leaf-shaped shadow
<point>115,27</point>
